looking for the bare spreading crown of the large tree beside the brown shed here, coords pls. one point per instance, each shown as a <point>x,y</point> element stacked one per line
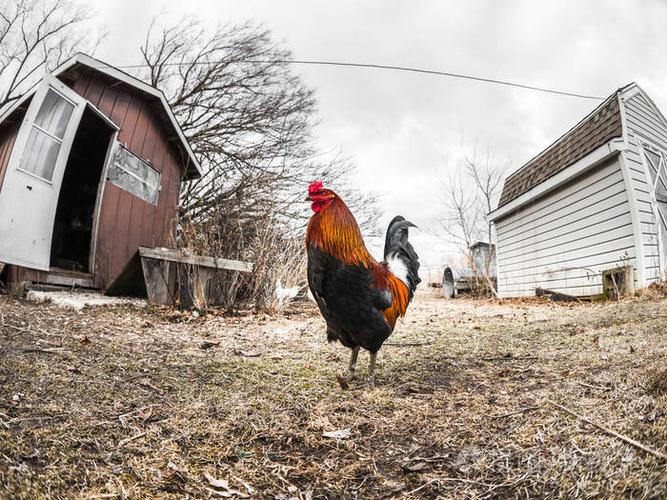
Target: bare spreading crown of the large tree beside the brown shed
<point>248,115</point>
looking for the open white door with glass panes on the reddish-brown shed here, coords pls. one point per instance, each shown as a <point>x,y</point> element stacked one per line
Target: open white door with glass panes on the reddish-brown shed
<point>29,193</point>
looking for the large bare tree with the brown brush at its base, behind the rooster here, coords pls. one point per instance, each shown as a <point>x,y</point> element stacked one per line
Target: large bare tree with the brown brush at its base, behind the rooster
<point>250,119</point>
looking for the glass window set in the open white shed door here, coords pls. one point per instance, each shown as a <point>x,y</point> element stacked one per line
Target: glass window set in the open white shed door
<point>46,136</point>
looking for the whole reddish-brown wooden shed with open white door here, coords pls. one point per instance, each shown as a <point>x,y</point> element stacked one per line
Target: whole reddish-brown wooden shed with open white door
<point>91,161</point>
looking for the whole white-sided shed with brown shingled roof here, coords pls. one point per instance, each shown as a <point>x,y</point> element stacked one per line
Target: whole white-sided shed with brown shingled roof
<point>591,206</point>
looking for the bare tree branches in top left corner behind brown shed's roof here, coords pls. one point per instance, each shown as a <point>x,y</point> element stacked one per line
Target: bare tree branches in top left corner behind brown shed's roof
<point>35,35</point>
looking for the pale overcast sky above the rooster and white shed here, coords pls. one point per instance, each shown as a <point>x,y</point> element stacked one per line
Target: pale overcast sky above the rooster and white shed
<point>400,127</point>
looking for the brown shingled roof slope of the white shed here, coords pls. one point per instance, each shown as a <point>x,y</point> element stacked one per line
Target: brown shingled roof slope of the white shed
<point>599,127</point>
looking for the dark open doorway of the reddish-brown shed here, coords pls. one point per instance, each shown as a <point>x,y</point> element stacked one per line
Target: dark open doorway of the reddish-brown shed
<point>74,224</point>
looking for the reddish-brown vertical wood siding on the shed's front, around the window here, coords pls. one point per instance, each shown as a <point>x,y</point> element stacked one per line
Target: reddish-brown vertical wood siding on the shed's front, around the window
<point>126,221</point>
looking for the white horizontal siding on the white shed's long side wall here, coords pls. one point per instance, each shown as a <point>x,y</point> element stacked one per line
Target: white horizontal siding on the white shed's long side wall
<point>564,240</point>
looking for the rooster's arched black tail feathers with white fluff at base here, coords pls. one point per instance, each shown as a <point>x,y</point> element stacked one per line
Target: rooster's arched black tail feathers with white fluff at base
<point>399,254</point>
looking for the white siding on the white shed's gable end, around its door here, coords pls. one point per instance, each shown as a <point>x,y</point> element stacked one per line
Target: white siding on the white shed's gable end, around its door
<point>644,123</point>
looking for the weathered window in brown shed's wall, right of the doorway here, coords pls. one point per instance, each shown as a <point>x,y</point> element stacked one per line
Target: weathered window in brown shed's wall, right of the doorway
<point>131,173</point>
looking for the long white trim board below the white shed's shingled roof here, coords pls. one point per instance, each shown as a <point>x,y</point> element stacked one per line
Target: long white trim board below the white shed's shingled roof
<point>595,157</point>
